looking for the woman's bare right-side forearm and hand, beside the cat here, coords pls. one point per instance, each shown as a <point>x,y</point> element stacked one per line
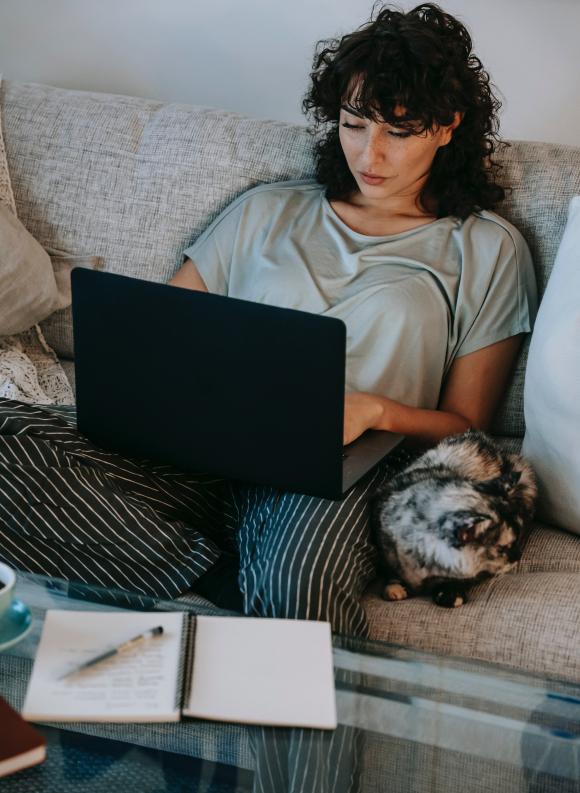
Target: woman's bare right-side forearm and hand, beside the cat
<point>469,397</point>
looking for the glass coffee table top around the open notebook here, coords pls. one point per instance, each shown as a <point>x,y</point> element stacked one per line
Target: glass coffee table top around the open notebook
<point>408,722</point>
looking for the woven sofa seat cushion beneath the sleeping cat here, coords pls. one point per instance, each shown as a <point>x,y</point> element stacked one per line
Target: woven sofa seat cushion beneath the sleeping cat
<point>527,619</point>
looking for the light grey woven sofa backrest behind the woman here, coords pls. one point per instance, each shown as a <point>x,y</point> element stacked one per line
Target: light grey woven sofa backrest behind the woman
<point>135,181</point>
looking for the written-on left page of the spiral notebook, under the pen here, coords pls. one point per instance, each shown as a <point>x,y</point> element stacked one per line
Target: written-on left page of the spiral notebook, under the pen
<point>140,684</point>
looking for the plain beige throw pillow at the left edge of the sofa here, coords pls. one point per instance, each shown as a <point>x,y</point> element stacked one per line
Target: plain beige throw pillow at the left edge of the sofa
<point>28,287</point>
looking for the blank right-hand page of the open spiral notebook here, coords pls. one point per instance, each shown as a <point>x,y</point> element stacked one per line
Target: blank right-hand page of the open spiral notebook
<point>263,671</point>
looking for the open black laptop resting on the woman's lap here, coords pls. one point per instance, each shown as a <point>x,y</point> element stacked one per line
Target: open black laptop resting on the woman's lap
<point>216,384</point>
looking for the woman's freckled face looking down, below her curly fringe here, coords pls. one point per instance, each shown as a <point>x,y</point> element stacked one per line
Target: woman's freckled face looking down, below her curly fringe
<point>388,162</point>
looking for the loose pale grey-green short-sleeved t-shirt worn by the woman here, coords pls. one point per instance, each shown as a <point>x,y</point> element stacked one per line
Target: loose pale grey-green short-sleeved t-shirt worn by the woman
<point>412,302</point>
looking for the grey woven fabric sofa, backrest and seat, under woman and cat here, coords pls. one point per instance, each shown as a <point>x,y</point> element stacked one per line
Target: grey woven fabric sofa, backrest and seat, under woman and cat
<point>134,181</point>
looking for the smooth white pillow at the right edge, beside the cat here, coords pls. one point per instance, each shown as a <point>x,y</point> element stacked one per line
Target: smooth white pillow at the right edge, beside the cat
<point>552,386</point>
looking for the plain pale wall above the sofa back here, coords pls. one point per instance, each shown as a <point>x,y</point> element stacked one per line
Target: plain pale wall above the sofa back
<point>253,56</point>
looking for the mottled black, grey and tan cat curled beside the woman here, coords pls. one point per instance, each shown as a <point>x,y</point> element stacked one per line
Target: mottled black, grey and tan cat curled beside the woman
<point>457,514</point>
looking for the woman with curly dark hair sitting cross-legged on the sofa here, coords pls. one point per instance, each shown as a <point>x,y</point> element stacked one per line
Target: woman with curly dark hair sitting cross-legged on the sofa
<point>395,237</point>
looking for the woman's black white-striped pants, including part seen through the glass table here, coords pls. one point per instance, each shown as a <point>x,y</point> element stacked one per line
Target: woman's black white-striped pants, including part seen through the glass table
<point>72,510</point>
